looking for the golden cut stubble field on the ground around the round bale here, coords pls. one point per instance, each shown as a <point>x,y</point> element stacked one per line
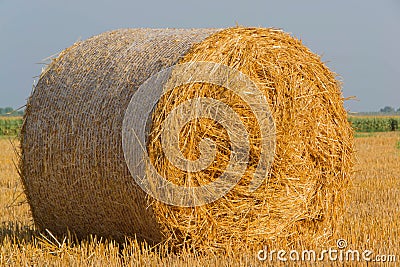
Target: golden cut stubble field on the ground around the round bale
<point>371,221</point>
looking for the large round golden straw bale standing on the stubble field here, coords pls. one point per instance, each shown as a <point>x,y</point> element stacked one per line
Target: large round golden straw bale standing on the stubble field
<point>73,164</point>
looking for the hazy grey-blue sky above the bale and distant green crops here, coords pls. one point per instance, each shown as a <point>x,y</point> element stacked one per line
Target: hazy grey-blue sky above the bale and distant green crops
<point>359,40</point>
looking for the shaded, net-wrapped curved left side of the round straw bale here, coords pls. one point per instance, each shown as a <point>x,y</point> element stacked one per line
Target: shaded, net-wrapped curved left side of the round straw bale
<point>73,165</point>
